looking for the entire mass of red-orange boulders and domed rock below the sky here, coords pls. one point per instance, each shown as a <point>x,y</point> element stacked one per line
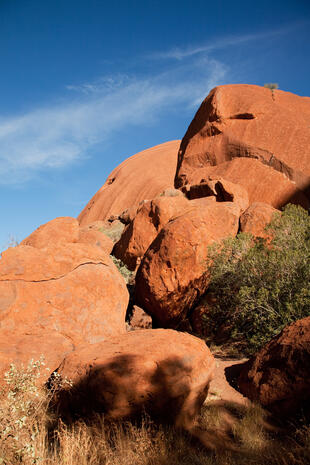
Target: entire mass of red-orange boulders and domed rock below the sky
<point>244,156</point>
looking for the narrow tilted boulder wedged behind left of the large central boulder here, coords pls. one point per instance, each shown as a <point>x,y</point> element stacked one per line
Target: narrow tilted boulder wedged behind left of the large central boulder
<point>142,230</point>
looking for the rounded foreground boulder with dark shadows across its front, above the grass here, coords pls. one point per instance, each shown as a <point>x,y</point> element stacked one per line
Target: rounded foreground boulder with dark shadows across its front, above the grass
<point>160,371</point>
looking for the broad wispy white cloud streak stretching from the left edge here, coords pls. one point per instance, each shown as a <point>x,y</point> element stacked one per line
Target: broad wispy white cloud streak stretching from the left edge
<point>58,135</point>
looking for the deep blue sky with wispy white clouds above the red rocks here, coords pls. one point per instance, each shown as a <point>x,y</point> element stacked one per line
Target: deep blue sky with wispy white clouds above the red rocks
<point>84,84</point>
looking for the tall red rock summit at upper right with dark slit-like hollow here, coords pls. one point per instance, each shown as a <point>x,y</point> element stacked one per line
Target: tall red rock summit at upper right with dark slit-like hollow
<point>253,137</point>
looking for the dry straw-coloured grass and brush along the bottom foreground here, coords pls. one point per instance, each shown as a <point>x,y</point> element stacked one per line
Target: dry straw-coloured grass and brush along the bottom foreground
<point>232,435</point>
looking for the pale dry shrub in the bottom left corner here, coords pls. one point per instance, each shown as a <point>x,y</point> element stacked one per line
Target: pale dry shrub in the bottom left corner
<point>24,413</point>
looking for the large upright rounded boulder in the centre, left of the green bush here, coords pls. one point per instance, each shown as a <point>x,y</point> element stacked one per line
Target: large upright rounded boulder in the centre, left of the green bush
<point>173,272</point>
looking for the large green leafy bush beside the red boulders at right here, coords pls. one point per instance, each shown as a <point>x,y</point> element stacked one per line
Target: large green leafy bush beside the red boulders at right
<point>260,286</point>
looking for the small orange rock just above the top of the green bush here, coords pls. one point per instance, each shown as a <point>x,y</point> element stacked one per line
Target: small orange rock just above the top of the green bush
<point>256,217</point>
